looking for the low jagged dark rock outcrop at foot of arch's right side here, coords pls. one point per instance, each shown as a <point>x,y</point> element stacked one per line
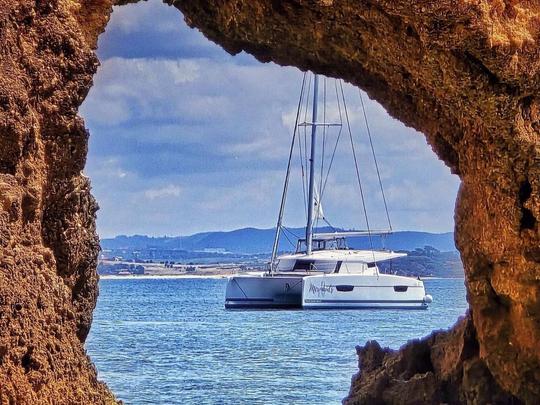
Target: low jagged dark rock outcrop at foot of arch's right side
<point>442,368</point>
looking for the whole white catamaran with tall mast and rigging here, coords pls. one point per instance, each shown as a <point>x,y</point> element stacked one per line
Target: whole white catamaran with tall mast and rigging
<point>324,272</point>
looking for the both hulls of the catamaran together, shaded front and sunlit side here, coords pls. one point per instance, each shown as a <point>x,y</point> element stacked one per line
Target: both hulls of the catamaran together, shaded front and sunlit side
<point>330,291</point>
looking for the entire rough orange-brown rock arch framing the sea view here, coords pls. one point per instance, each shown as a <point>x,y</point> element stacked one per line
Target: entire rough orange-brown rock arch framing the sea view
<point>465,73</point>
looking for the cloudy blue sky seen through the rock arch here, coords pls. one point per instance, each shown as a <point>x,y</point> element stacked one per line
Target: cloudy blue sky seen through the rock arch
<point>186,138</point>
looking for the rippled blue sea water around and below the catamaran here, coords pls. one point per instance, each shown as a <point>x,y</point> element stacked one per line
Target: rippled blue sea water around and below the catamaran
<point>170,341</point>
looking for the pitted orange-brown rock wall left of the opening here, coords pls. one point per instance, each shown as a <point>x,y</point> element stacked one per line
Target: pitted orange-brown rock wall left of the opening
<point>48,244</point>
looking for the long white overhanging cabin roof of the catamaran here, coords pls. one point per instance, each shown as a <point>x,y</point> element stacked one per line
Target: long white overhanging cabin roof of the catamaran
<point>348,255</point>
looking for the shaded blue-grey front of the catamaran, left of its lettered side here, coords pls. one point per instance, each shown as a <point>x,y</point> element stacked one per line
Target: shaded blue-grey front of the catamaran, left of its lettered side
<point>264,292</point>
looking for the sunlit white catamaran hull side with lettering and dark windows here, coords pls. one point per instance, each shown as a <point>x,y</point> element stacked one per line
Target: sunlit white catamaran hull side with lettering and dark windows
<point>359,291</point>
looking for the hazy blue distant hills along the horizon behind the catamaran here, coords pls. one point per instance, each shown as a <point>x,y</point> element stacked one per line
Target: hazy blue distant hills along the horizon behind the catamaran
<point>252,241</point>
